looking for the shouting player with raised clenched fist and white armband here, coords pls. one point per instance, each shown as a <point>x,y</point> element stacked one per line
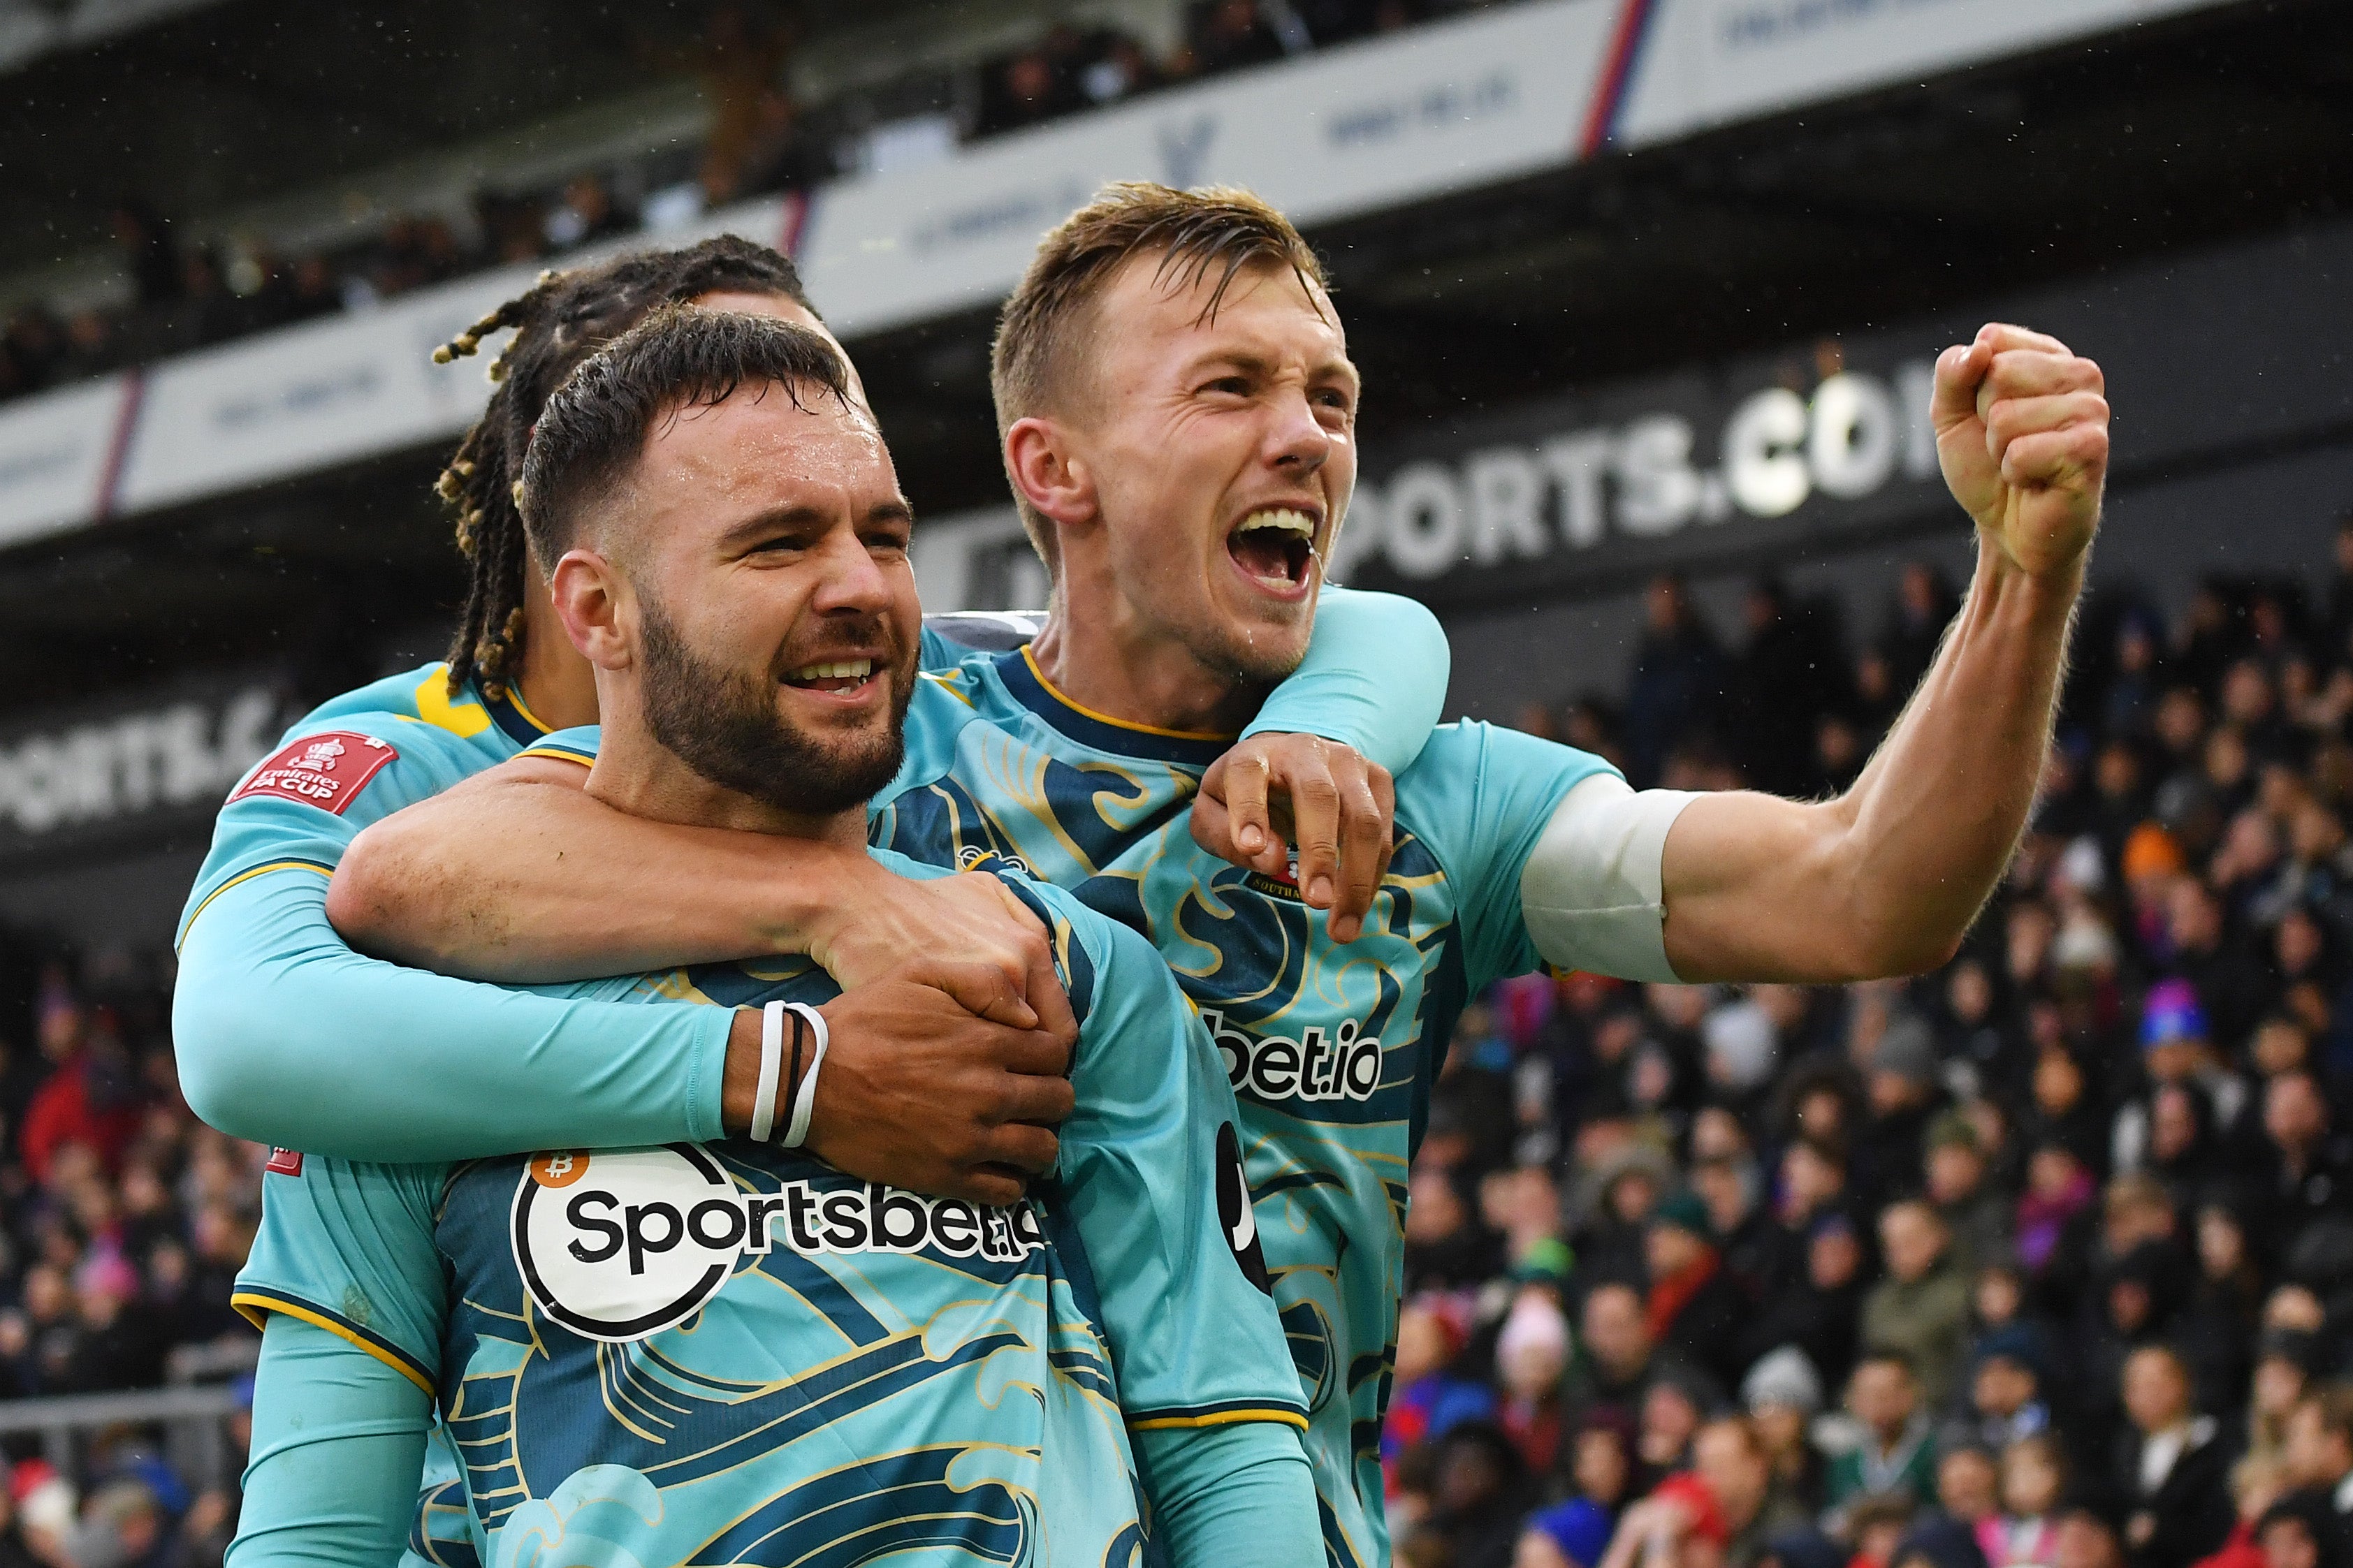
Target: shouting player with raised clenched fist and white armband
<point>1180,429</point>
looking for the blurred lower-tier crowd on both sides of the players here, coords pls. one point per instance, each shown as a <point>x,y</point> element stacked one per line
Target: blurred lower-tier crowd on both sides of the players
<point>2044,1261</point>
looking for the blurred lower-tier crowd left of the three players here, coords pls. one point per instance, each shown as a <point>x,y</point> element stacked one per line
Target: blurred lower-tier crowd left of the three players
<point>124,1224</point>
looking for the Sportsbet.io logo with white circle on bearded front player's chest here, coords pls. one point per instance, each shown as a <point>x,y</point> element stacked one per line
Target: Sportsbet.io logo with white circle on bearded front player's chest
<point>625,1245</point>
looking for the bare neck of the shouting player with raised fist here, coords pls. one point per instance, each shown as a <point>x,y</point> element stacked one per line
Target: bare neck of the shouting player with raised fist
<point>1119,666</point>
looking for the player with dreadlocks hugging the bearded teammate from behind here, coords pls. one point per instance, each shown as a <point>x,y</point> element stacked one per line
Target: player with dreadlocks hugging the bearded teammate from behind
<point>262,967</point>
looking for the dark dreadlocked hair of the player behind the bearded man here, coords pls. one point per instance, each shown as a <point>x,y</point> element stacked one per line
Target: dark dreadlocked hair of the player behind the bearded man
<point>559,321</point>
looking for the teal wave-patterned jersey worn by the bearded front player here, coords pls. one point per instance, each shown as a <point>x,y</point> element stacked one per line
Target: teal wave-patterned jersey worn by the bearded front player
<point>735,1353</point>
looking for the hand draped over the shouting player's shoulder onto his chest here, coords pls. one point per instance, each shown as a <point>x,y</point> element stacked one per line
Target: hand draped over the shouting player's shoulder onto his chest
<point>1321,796</point>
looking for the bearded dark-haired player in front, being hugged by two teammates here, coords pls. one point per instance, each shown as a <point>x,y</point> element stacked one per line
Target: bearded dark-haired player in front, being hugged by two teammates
<point>735,1351</point>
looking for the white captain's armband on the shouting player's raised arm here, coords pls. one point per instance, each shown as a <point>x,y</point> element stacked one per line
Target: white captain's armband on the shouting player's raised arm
<point>1592,892</point>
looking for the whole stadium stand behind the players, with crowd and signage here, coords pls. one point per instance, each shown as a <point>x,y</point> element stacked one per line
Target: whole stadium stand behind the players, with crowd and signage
<point>1634,1202</point>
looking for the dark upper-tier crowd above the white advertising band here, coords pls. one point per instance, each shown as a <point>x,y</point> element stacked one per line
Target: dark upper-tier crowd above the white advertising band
<point>189,295</point>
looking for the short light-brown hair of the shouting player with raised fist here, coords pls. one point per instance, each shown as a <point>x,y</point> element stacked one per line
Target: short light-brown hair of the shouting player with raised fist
<point>1218,229</point>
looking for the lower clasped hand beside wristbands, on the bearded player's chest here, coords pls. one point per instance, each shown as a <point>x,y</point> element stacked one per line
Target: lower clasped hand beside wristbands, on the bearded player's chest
<point>921,1094</point>
